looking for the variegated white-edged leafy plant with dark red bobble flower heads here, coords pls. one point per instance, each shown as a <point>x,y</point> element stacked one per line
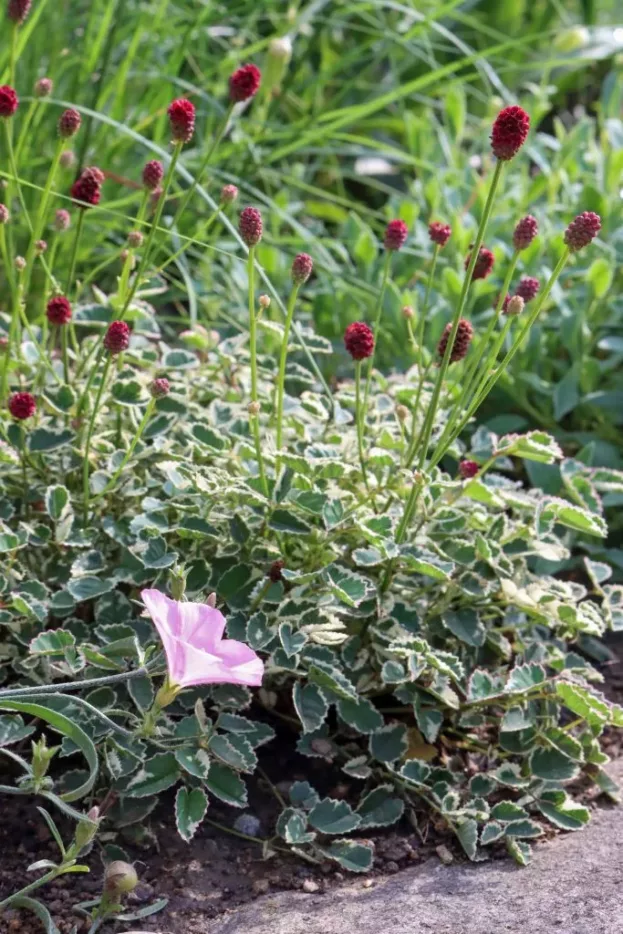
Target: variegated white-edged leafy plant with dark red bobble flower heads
<point>386,611</point>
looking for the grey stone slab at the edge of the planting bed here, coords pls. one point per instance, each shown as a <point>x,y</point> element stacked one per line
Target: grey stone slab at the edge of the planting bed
<point>574,885</point>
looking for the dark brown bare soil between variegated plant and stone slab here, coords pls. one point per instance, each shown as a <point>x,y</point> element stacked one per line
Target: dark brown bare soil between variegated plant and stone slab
<point>218,871</point>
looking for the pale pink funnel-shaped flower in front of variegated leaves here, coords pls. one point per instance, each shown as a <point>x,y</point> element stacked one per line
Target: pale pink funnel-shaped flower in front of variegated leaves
<point>192,636</point>
